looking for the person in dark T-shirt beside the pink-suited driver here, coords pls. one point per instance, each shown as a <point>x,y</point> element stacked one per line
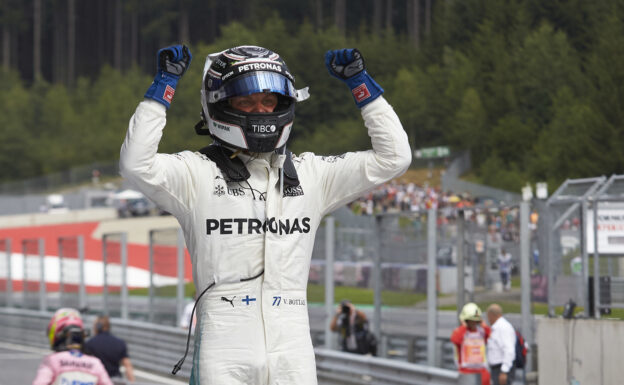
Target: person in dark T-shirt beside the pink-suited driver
<point>112,351</point>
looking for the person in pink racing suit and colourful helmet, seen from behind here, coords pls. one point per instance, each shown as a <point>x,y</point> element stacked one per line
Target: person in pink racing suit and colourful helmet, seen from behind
<point>68,364</point>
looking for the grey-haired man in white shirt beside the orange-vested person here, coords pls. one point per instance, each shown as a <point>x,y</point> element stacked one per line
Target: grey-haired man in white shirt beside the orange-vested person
<point>501,346</point>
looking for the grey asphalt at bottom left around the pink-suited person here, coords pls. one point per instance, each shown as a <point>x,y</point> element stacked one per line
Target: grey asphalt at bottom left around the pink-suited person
<point>18,365</point>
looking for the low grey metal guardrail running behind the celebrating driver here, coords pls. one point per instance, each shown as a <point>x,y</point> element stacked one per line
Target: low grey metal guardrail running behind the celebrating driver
<point>157,348</point>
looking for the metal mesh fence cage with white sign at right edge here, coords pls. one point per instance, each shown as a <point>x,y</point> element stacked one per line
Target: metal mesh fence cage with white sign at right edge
<point>582,237</point>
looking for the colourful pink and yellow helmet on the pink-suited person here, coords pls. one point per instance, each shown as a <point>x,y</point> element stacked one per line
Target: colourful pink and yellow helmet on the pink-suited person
<point>65,330</point>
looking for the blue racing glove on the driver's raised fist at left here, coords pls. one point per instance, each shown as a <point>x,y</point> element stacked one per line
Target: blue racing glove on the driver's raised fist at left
<point>172,63</point>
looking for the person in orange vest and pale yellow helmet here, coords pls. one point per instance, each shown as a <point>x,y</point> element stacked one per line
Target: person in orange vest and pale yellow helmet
<point>470,339</point>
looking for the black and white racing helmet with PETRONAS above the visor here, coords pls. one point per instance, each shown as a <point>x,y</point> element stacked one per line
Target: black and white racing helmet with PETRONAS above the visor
<point>241,71</point>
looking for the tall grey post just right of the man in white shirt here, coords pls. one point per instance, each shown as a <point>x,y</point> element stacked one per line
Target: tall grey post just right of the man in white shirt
<point>525,277</point>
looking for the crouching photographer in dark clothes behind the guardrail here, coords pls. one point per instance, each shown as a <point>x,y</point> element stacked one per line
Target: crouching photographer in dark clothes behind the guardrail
<point>352,325</point>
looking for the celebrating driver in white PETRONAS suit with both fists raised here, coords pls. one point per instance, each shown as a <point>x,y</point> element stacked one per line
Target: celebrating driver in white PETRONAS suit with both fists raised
<point>249,208</point>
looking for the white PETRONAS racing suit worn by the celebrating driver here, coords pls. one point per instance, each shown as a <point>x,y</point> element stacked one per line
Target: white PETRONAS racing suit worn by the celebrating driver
<point>256,331</point>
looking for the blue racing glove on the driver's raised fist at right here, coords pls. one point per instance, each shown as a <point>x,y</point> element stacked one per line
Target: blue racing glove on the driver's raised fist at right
<point>347,64</point>
